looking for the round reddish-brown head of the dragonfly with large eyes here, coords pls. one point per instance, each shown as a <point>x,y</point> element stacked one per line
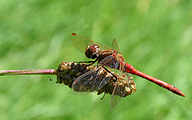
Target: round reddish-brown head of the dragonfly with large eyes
<point>92,51</point>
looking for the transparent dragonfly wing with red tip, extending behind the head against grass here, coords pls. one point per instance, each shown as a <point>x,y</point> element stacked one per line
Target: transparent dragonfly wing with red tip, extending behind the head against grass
<point>81,42</point>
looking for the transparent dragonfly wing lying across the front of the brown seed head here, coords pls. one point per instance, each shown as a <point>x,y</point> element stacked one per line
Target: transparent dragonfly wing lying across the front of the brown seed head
<point>91,81</point>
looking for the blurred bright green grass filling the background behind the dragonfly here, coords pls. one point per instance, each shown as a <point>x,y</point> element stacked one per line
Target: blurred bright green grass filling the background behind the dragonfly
<point>154,36</point>
